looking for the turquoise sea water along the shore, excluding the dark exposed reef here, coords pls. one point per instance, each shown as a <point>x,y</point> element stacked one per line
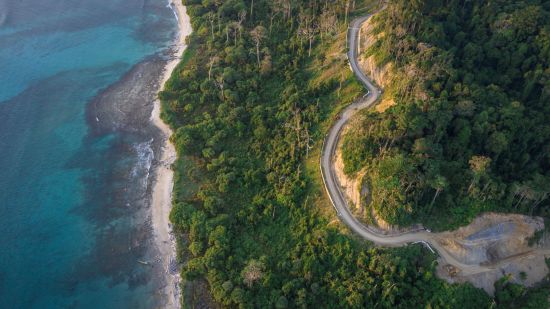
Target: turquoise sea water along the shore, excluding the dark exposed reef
<point>68,236</point>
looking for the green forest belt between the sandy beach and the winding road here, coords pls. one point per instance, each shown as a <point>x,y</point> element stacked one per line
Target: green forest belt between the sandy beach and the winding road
<point>250,104</point>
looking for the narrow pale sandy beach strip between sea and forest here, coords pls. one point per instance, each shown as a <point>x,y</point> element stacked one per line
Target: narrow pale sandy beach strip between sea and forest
<point>162,190</point>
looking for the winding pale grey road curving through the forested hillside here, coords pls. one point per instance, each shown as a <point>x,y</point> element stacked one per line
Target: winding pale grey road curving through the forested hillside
<point>331,181</point>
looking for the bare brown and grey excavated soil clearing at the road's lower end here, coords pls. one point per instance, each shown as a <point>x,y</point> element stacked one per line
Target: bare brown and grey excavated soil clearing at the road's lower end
<point>499,241</point>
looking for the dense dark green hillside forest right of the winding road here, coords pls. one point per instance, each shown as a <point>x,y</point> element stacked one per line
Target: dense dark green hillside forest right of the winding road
<point>470,130</point>
